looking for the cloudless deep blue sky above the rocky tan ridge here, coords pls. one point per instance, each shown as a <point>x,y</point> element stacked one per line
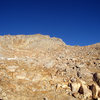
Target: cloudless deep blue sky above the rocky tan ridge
<point>77,22</point>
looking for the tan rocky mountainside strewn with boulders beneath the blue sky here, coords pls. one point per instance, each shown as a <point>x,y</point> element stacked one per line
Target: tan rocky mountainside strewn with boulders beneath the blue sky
<point>37,67</point>
